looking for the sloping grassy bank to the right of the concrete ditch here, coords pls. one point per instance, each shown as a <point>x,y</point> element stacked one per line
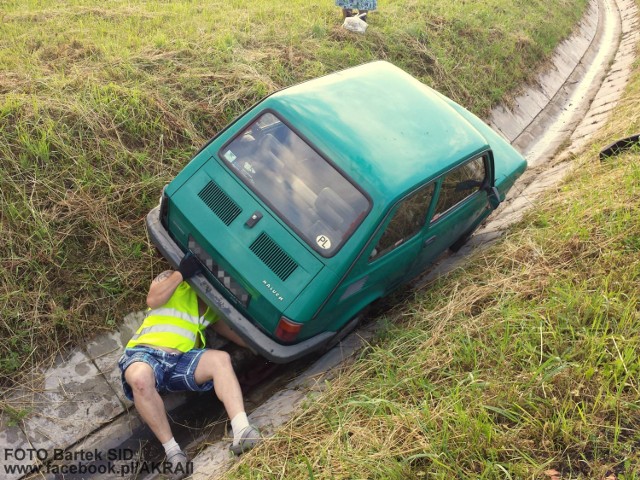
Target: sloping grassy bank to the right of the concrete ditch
<point>522,364</point>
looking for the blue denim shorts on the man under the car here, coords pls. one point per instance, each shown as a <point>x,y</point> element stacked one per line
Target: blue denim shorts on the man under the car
<point>174,372</point>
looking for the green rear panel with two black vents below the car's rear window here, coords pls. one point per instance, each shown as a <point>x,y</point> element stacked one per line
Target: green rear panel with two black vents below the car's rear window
<point>252,258</point>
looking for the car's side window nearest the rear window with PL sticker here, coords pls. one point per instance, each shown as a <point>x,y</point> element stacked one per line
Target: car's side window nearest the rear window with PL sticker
<point>406,222</point>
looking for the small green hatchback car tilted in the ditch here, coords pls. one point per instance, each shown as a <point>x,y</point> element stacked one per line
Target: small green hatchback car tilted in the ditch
<point>324,197</point>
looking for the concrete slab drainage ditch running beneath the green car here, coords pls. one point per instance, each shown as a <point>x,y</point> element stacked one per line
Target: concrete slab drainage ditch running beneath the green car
<point>78,416</point>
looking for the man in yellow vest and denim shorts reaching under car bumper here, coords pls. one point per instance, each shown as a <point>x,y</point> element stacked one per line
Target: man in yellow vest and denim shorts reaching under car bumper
<point>167,354</point>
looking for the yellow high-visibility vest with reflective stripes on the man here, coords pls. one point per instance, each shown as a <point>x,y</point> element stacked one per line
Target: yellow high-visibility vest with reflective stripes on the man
<point>176,324</point>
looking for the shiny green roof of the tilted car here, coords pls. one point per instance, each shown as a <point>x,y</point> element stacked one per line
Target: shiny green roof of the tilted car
<point>384,128</point>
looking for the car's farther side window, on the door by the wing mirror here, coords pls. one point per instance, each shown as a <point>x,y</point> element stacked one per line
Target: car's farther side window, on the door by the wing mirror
<point>460,184</point>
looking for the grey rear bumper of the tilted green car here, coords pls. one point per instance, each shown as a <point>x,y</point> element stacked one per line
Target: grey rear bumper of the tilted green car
<point>255,338</point>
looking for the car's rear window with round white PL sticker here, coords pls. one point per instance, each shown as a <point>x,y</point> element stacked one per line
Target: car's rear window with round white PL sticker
<point>305,190</point>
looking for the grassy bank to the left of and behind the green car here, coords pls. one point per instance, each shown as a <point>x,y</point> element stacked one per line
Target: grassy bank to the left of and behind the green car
<point>101,104</point>
